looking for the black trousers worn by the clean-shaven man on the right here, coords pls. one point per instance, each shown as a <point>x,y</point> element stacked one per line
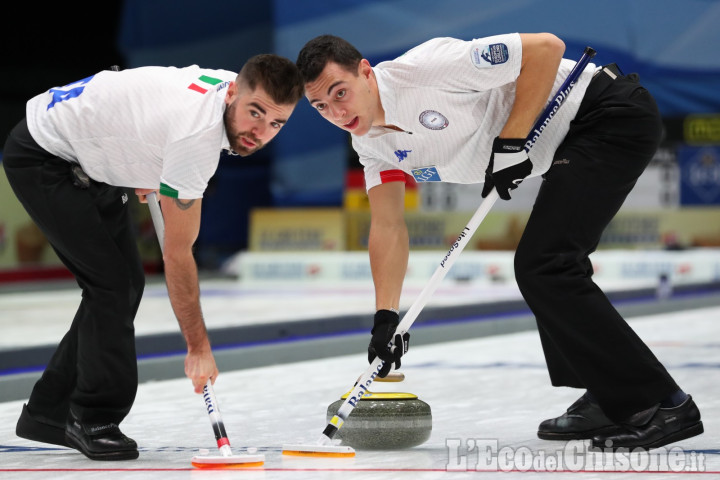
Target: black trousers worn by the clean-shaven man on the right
<point>587,344</point>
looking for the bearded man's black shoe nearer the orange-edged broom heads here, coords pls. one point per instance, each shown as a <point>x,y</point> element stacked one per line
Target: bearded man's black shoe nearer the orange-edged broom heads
<point>100,442</point>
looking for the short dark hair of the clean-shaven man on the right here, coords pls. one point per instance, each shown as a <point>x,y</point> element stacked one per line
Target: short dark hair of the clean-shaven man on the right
<point>321,50</point>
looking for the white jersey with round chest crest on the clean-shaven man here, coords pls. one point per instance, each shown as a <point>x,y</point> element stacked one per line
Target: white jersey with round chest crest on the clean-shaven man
<point>452,98</point>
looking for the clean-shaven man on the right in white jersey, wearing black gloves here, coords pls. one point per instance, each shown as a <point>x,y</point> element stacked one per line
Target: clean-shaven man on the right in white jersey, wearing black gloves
<point>460,111</point>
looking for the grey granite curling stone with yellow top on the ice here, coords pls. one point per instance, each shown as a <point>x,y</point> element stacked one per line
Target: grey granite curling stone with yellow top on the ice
<point>384,420</point>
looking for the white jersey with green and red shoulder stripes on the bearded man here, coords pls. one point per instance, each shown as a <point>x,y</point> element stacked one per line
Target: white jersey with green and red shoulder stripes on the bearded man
<point>148,127</point>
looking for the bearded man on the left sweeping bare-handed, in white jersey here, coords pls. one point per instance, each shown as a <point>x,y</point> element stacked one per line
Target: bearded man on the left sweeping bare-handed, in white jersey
<point>149,128</point>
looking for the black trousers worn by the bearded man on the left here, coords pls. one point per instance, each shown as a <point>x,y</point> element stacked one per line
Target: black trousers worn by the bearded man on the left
<point>94,369</point>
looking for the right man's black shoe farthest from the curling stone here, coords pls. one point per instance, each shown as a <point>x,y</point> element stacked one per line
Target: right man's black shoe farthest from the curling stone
<point>654,427</point>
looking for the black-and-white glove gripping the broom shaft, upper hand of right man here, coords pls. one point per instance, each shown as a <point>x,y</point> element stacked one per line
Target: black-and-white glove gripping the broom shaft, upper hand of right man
<point>509,165</point>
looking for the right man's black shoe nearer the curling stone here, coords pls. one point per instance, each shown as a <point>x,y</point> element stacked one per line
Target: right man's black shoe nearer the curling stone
<point>583,420</point>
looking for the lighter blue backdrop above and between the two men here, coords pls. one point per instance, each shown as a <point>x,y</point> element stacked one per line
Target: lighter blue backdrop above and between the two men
<point>672,44</point>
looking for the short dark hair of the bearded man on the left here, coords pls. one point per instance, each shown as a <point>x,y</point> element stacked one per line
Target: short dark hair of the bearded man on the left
<point>278,76</point>
